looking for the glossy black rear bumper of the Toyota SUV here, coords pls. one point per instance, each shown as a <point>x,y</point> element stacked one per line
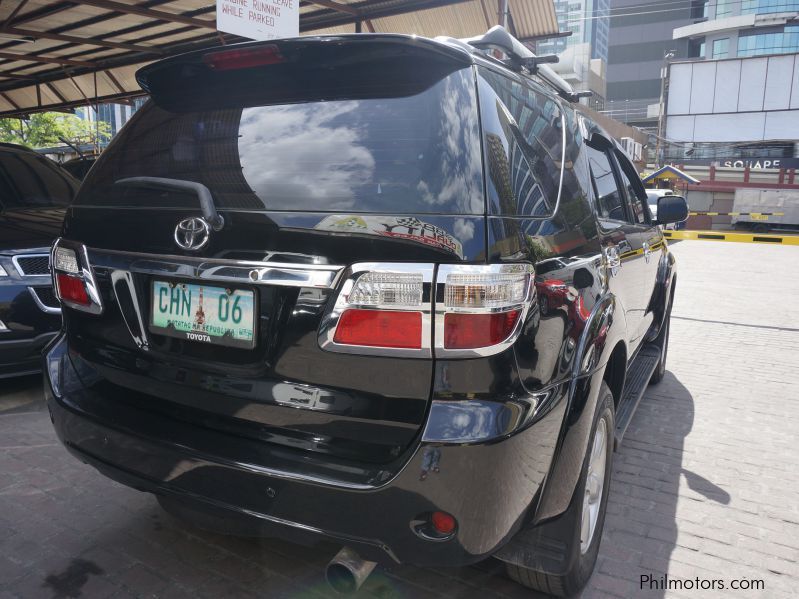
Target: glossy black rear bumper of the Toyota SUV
<point>489,487</point>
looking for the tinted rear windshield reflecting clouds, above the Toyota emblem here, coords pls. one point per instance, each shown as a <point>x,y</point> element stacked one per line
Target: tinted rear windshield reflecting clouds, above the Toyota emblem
<point>413,154</point>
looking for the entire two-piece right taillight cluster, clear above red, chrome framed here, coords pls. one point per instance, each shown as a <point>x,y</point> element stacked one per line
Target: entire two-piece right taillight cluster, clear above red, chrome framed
<point>395,309</point>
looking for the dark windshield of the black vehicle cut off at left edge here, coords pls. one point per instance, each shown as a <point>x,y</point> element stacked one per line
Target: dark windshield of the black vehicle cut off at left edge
<point>31,181</point>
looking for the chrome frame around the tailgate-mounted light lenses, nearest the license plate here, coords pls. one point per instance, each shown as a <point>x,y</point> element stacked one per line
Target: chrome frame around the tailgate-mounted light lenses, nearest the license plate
<point>327,329</point>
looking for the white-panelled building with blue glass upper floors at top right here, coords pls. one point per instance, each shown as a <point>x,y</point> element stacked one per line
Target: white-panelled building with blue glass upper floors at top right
<point>737,96</point>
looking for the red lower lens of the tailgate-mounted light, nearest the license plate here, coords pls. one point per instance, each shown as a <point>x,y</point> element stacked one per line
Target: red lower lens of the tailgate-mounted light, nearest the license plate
<point>380,328</point>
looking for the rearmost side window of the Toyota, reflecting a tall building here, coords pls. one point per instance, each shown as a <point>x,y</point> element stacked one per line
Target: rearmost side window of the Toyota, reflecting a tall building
<point>523,139</point>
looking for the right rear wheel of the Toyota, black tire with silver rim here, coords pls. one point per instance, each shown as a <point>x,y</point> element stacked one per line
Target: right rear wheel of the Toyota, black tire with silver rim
<point>589,503</point>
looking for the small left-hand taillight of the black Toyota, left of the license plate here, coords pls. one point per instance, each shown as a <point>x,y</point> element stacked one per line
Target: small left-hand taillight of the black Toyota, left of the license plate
<point>73,279</point>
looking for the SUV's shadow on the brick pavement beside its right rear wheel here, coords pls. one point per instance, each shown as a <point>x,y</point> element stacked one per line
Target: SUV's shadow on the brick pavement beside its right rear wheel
<point>641,530</point>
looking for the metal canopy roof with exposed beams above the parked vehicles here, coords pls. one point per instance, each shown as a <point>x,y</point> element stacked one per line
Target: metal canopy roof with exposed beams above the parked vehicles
<point>58,55</point>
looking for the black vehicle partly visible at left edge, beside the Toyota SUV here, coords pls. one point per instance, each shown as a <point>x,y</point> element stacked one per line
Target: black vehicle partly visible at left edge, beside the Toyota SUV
<point>34,193</point>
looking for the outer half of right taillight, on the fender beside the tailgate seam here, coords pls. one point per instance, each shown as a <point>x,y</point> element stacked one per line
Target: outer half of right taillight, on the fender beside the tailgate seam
<point>480,309</point>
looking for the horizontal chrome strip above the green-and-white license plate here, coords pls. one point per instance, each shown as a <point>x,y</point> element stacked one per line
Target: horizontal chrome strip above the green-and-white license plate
<point>219,270</point>
